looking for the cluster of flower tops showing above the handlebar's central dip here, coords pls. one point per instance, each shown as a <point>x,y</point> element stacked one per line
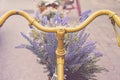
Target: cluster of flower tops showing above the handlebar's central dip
<point>52,19</point>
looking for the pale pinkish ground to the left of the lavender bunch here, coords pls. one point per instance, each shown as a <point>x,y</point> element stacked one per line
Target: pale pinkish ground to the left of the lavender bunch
<point>17,64</point>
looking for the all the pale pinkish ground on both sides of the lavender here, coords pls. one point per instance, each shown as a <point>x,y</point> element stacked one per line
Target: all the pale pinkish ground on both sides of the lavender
<point>21,64</point>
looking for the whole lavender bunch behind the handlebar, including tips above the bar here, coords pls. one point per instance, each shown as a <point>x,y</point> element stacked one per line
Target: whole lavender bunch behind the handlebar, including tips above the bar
<point>81,54</point>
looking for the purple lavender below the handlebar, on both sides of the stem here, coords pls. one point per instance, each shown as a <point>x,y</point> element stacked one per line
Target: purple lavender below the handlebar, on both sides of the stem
<point>77,59</point>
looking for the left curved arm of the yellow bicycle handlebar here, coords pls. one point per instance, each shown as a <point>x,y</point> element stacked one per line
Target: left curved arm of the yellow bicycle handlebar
<point>28,17</point>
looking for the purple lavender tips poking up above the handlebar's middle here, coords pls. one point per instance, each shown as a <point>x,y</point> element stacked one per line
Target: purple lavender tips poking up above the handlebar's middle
<point>56,19</point>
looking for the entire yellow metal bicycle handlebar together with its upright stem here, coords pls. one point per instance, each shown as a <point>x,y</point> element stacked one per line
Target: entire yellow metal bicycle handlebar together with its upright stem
<point>60,32</point>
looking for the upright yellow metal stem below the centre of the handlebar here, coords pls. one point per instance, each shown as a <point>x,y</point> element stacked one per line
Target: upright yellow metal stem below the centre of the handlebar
<point>60,52</point>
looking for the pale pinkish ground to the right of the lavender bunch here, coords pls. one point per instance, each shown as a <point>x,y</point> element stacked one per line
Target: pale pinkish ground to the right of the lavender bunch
<point>101,31</point>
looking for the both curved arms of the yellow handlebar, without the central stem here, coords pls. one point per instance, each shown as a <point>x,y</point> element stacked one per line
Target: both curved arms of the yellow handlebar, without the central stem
<point>70,29</point>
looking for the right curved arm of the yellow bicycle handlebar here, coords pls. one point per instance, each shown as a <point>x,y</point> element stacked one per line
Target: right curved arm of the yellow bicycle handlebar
<point>93,16</point>
